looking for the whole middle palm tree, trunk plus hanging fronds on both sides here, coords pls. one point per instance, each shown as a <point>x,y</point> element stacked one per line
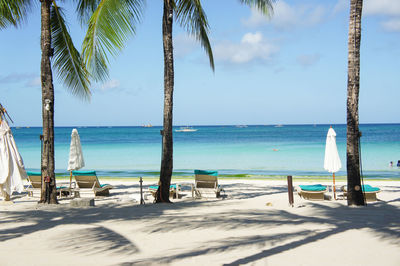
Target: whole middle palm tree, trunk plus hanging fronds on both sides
<point>189,14</point>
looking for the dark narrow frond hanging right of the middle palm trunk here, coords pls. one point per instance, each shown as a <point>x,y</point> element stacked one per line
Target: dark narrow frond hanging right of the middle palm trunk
<point>191,15</point>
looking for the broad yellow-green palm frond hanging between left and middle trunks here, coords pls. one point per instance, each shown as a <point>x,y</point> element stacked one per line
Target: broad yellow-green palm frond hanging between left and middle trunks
<point>109,27</point>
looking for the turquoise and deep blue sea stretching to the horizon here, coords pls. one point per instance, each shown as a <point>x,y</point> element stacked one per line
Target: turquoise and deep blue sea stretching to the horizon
<point>259,151</point>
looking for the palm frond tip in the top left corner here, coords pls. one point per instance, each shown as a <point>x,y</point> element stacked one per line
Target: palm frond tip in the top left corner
<point>13,12</point>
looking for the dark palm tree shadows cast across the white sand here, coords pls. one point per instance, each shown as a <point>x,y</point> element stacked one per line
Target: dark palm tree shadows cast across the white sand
<point>182,216</point>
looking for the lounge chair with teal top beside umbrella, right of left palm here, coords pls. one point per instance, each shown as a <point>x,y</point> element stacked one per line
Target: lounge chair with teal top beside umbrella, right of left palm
<point>88,180</point>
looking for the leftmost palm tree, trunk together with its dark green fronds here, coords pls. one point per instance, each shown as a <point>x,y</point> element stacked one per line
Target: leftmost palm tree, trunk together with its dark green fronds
<point>55,42</point>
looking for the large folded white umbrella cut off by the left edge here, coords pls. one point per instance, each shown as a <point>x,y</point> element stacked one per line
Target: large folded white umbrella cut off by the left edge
<point>12,170</point>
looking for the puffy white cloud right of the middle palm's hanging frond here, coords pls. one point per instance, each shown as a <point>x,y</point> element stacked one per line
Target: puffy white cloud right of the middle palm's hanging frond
<point>252,47</point>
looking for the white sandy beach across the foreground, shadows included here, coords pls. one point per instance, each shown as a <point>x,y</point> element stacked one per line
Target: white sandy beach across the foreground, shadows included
<point>252,225</point>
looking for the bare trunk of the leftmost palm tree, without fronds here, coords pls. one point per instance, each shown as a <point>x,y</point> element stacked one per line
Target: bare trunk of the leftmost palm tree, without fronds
<point>48,193</point>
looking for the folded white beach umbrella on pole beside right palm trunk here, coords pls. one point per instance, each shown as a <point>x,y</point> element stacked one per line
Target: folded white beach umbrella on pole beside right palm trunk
<point>332,160</point>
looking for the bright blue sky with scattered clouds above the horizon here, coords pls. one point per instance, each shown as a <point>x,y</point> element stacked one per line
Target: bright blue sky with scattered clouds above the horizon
<point>290,68</point>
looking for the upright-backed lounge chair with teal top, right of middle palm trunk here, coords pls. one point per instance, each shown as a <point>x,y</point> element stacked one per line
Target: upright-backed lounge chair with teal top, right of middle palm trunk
<point>206,184</point>
